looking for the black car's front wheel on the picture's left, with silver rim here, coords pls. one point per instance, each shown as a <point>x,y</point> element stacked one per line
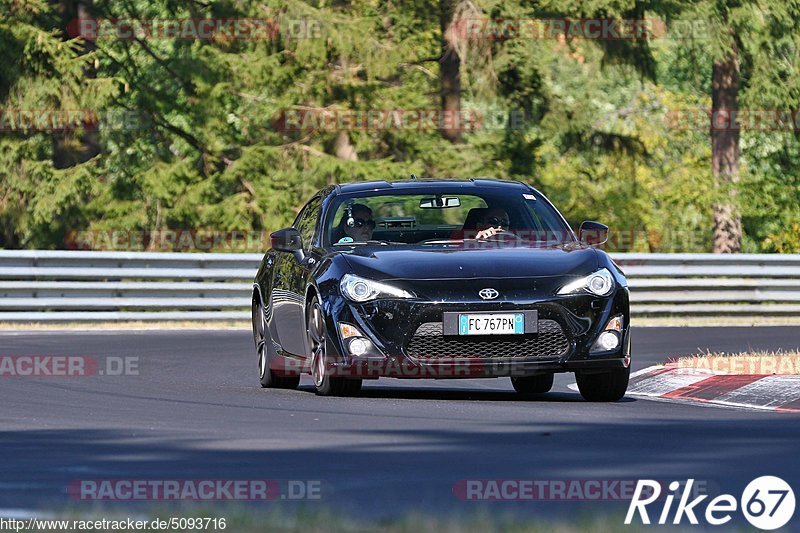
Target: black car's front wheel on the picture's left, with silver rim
<point>325,384</point>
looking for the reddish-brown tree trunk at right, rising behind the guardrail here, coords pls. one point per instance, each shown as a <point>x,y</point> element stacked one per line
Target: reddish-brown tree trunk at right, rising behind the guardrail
<point>725,152</point>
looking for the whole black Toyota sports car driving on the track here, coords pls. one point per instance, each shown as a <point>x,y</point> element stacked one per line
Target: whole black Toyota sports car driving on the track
<point>440,279</point>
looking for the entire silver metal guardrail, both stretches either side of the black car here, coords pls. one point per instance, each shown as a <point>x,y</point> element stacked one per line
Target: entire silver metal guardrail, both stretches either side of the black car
<point>71,286</point>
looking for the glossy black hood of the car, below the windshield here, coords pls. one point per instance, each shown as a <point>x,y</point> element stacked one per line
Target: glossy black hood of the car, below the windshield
<point>436,263</point>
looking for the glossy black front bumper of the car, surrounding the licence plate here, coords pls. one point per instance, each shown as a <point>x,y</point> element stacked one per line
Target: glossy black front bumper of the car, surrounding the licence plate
<point>391,325</point>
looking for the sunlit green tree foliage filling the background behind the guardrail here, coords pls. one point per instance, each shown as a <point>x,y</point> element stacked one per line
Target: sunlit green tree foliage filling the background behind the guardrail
<point>584,121</point>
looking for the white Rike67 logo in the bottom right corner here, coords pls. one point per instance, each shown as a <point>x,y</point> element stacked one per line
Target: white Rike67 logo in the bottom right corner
<point>767,503</point>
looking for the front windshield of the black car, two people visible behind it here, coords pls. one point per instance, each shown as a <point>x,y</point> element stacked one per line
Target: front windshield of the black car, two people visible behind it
<point>446,218</point>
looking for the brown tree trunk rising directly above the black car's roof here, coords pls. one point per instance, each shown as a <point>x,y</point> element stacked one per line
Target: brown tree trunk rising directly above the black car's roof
<point>450,76</point>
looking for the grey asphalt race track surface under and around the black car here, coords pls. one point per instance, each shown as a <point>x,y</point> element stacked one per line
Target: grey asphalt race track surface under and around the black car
<point>195,411</point>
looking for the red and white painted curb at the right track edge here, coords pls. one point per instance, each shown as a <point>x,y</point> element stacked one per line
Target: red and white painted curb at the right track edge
<point>766,392</point>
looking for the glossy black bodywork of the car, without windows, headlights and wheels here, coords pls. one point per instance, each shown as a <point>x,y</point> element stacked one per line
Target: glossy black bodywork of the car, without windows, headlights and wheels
<point>407,336</point>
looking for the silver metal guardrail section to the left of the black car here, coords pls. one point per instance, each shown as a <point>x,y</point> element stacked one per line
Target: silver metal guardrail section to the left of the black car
<point>71,286</point>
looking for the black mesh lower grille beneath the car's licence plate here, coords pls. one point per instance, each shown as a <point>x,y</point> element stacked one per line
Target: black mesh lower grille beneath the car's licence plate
<point>429,343</point>
